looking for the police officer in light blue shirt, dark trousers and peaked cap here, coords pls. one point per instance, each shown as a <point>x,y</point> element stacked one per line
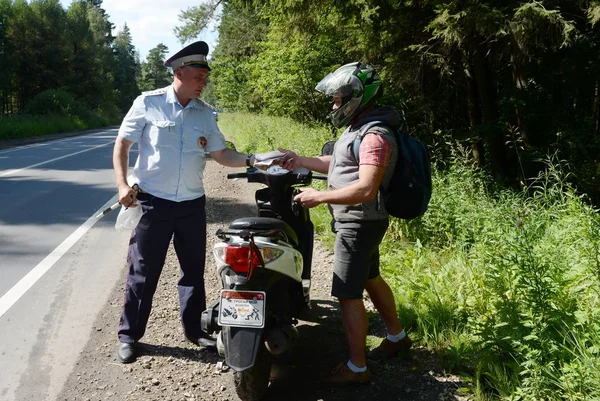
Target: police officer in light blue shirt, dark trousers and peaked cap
<point>173,130</point>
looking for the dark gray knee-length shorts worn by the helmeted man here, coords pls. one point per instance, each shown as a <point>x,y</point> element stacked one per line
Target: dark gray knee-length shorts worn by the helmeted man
<point>356,258</point>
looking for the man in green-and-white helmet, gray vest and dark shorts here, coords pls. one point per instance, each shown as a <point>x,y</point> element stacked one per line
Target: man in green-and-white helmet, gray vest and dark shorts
<point>359,216</point>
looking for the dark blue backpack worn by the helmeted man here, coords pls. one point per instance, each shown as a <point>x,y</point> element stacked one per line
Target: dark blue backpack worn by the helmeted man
<point>409,190</point>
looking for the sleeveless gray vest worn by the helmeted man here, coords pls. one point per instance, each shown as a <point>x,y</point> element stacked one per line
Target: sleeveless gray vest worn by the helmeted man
<point>343,171</point>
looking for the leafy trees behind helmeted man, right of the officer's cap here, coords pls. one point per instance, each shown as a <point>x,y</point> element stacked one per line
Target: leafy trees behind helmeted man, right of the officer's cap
<point>512,80</point>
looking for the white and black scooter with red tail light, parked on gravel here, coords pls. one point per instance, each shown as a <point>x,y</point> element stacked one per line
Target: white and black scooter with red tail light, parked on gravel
<point>264,263</point>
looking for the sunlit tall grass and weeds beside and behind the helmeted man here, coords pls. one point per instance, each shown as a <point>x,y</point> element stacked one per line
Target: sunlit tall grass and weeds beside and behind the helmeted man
<point>504,286</point>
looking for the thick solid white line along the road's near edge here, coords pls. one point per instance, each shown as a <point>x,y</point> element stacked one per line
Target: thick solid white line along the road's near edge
<point>19,289</point>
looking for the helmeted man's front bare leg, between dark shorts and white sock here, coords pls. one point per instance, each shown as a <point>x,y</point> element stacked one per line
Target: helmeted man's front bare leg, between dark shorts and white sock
<point>355,324</point>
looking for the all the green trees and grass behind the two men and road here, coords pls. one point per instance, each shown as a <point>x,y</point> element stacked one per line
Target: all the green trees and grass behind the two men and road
<point>501,277</point>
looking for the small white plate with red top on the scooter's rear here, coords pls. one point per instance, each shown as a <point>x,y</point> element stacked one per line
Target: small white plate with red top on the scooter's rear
<point>242,308</point>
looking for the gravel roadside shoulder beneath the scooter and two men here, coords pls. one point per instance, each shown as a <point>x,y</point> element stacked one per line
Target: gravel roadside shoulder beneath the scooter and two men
<point>169,368</point>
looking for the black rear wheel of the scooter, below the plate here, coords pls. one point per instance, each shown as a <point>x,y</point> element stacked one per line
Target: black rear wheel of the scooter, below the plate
<point>251,384</point>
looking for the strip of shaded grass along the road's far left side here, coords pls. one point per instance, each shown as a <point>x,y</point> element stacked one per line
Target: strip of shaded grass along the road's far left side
<point>25,126</point>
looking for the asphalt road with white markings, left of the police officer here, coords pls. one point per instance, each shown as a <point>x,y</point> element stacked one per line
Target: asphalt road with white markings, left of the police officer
<point>57,262</point>
